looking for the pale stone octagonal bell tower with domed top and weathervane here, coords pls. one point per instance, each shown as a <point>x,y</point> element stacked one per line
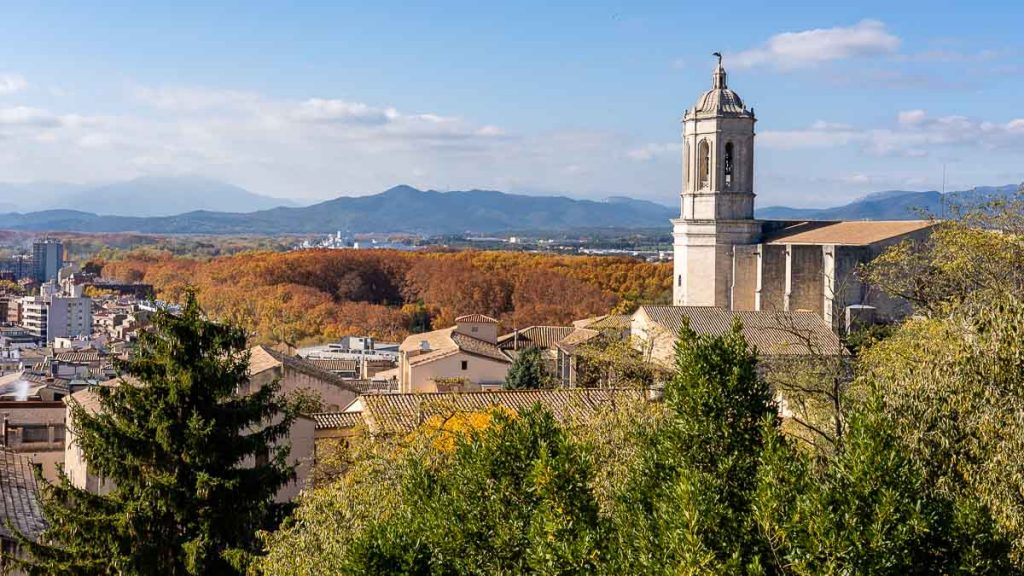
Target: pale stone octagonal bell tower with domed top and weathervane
<point>717,198</point>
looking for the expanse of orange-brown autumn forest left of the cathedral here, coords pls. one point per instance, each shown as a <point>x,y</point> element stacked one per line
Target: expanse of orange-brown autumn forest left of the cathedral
<point>306,297</point>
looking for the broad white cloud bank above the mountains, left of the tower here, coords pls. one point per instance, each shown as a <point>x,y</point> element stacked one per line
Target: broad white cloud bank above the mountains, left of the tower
<point>318,147</point>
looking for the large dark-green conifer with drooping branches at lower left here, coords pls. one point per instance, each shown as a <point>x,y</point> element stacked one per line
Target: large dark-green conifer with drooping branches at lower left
<point>194,464</point>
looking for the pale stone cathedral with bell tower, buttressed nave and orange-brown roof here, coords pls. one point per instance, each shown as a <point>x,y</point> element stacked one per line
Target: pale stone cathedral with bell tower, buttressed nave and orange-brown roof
<point>726,258</point>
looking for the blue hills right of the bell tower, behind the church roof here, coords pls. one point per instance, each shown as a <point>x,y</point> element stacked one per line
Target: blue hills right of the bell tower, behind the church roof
<point>891,205</point>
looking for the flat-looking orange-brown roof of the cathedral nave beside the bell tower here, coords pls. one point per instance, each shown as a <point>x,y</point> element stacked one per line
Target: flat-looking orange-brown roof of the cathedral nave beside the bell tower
<point>846,233</point>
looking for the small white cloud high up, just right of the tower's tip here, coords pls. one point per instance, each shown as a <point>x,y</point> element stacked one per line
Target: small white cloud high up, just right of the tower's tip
<point>810,48</point>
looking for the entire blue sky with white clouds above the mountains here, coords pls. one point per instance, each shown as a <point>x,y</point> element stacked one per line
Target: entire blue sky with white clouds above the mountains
<point>312,101</point>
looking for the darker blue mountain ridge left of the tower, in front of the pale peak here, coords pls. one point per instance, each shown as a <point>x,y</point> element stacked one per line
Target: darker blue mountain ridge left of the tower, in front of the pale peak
<point>400,210</point>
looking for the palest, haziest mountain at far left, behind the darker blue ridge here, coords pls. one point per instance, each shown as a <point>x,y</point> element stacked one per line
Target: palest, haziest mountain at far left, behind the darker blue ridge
<point>148,196</point>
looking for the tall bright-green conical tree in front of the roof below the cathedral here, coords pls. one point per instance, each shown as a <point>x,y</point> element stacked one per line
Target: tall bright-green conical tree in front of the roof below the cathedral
<point>692,508</point>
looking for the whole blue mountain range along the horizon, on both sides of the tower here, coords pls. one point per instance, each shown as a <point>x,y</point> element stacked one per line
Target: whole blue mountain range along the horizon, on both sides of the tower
<point>406,210</point>
